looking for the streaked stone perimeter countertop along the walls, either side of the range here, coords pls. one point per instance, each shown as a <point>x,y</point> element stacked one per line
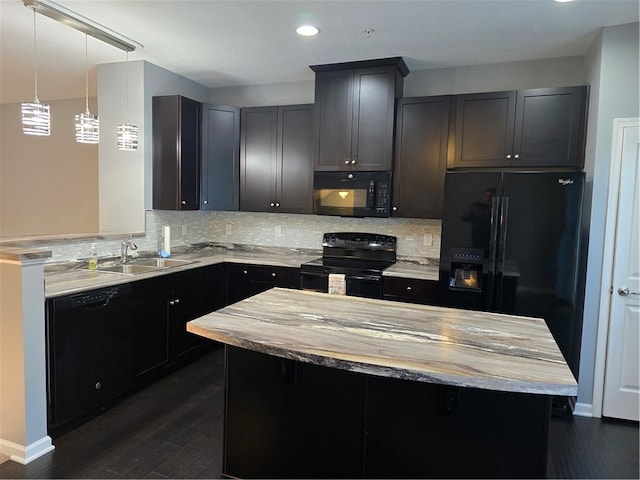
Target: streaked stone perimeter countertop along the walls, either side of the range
<point>73,277</point>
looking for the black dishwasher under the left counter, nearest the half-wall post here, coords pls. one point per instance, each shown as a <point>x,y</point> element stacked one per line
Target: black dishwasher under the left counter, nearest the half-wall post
<point>89,353</point>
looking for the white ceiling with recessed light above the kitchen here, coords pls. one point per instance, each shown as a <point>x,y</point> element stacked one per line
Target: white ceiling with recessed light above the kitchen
<point>222,43</point>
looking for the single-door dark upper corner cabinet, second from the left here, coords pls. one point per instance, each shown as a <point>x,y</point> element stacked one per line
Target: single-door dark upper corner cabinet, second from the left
<point>220,168</point>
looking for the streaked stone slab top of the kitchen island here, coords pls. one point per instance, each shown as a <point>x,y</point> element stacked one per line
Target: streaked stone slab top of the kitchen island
<point>394,339</point>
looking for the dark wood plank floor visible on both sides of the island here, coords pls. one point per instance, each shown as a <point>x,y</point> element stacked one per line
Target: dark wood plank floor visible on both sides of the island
<point>173,429</point>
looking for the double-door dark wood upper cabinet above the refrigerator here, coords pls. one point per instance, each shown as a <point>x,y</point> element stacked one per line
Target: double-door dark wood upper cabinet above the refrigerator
<point>535,128</point>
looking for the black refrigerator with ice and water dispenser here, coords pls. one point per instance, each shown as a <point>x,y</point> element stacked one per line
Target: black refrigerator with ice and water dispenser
<point>511,244</point>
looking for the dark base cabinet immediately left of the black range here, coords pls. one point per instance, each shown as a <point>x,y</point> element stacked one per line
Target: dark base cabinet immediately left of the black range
<point>244,280</point>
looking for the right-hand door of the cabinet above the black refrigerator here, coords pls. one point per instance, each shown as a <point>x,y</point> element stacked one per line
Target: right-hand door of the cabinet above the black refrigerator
<point>549,127</point>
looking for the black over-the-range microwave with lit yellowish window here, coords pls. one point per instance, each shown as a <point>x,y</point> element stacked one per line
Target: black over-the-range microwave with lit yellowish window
<point>352,194</point>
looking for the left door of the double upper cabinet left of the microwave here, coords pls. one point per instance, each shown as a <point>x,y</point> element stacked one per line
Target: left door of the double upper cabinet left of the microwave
<point>258,166</point>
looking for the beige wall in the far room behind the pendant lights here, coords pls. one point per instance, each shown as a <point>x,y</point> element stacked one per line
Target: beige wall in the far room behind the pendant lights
<point>48,185</point>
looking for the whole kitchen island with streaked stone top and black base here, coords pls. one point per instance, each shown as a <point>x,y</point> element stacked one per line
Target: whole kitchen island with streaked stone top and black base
<point>319,385</point>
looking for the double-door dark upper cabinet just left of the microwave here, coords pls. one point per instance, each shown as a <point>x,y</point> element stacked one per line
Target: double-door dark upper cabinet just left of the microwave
<point>276,165</point>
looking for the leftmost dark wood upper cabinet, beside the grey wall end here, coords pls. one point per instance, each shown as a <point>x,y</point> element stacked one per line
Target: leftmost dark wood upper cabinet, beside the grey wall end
<point>176,153</point>
